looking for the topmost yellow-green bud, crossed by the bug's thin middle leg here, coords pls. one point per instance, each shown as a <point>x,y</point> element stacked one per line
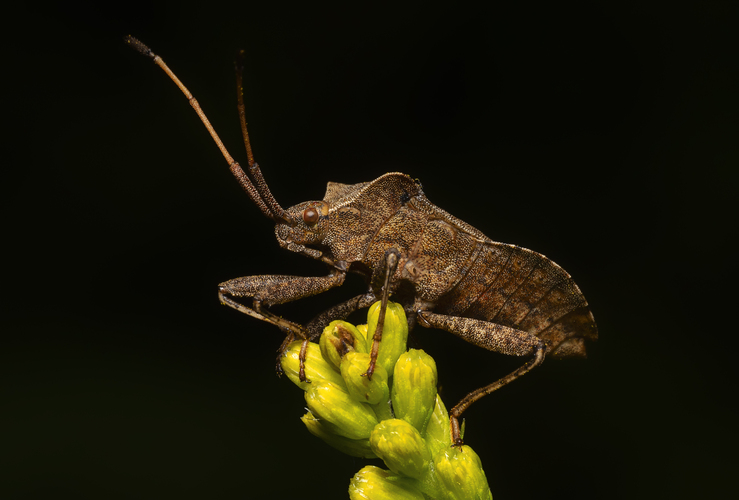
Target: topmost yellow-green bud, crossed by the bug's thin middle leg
<point>394,333</point>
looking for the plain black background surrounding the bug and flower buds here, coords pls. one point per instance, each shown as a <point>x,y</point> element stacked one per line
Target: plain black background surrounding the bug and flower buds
<point>604,136</point>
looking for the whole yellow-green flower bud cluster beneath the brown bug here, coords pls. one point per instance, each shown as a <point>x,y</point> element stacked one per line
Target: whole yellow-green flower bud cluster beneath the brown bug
<point>394,415</point>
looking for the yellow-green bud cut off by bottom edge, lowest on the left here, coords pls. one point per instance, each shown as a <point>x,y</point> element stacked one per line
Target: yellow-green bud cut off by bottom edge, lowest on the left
<point>373,483</point>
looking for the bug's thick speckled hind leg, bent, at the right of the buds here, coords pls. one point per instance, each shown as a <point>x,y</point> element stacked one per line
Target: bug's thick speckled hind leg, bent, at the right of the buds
<point>491,336</point>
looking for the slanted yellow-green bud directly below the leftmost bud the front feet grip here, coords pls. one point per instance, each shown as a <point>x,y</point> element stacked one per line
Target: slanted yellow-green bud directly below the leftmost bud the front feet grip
<point>333,404</point>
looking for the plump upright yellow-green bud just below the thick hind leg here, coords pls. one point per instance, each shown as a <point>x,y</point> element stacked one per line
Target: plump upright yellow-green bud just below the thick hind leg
<point>414,388</point>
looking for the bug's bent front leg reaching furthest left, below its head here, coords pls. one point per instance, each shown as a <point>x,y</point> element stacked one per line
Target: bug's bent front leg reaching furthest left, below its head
<point>267,290</point>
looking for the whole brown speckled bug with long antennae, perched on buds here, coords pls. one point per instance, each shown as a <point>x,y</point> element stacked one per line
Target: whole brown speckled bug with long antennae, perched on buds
<point>446,273</point>
